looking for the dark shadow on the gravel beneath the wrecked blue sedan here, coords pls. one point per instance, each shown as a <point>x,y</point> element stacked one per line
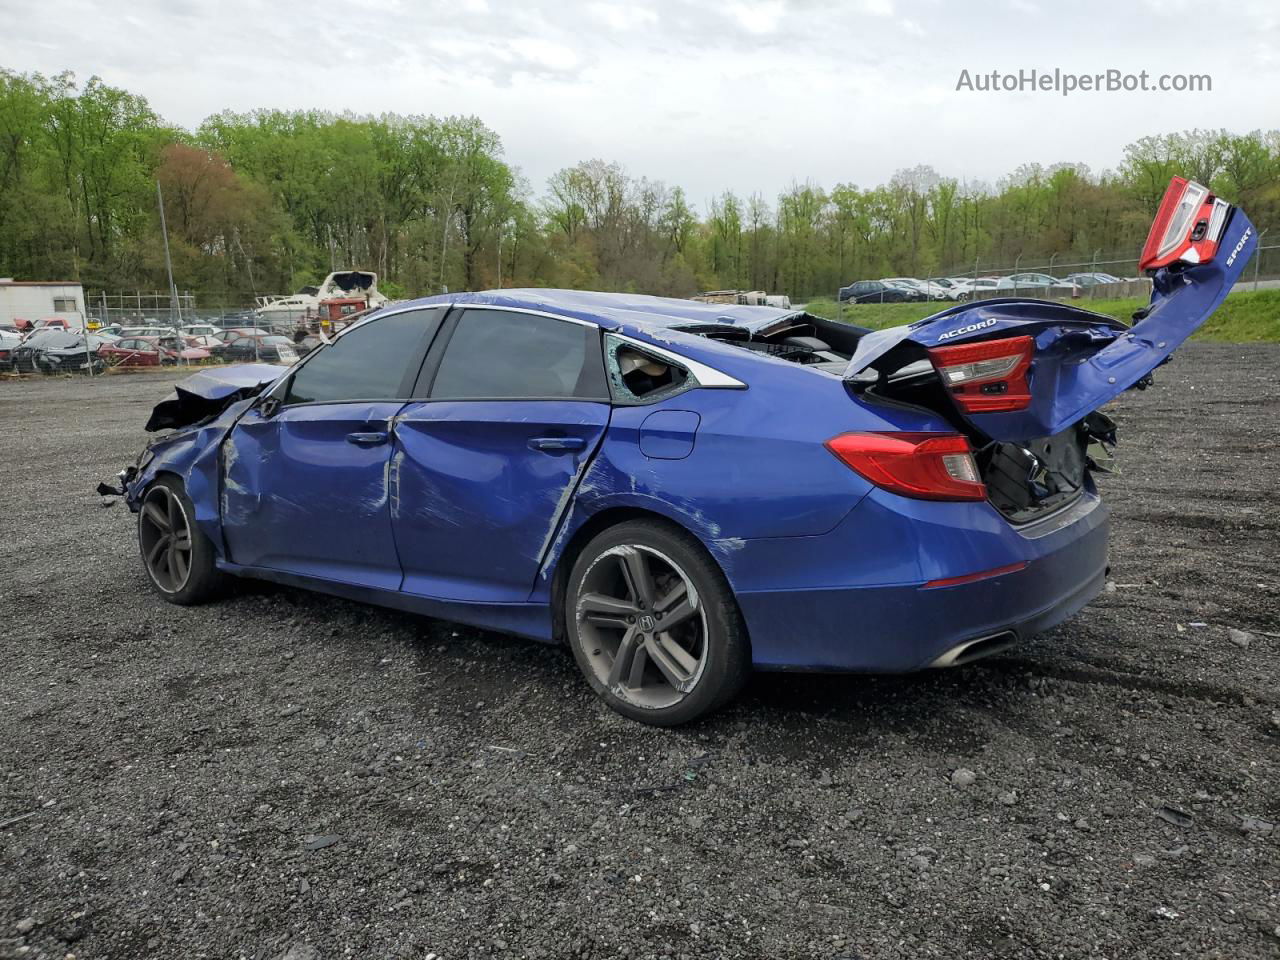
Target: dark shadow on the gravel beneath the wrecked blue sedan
<point>460,668</point>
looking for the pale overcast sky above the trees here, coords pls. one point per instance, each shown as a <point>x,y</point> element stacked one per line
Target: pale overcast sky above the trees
<point>742,94</point>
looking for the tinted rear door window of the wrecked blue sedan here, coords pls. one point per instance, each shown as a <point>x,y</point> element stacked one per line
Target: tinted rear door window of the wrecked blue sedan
<point>499,355</point>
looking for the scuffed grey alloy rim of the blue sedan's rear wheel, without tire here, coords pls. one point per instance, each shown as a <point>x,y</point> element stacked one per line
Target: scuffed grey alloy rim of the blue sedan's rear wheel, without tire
<point>642,627</point>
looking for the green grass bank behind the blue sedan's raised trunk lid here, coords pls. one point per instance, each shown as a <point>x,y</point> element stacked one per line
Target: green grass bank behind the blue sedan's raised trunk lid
<point>1245,317</point>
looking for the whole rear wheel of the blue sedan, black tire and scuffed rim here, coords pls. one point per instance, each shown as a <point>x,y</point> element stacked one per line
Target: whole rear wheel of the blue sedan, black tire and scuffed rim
<point>655,627</point>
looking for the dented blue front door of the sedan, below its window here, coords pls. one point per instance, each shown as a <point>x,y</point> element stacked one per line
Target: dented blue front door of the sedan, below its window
<point>307,492</point>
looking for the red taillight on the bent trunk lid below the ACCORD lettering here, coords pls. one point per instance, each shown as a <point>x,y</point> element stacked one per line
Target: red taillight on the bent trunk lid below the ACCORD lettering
<point>989,377</point>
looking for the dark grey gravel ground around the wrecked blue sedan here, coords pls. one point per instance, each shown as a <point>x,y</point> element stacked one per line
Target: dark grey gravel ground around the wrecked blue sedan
<point>290,776</point>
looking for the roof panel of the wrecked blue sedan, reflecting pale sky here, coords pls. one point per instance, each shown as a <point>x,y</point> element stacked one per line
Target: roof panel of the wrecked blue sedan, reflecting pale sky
<point>616,310</point>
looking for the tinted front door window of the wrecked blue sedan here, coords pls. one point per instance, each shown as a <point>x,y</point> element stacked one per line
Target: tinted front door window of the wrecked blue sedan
<point>371,363</point>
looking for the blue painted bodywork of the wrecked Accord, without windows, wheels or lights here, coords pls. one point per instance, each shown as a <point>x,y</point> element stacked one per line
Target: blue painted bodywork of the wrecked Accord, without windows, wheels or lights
<point>830,573</point>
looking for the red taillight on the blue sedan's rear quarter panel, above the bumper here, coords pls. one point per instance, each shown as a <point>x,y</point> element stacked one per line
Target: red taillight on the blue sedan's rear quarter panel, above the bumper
<point>924,467</point>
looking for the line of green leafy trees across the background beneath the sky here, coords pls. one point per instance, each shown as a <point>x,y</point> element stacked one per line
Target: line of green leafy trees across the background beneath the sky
<point>267,202</point>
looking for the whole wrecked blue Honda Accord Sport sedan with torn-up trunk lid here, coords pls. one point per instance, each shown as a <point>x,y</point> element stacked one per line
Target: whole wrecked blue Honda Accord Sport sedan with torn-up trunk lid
<point>682,492</point>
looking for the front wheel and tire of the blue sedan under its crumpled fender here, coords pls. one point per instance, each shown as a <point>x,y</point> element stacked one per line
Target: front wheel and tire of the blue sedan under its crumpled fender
<point>177,556</point>
